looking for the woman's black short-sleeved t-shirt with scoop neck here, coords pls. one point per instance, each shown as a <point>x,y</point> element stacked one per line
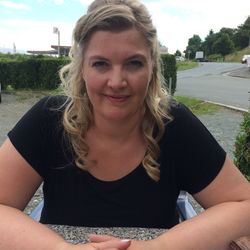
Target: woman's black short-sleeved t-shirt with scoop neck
<point>190,159</point>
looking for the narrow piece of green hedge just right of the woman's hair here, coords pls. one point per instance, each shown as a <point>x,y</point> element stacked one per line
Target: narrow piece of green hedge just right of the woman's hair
<point>169,69</point>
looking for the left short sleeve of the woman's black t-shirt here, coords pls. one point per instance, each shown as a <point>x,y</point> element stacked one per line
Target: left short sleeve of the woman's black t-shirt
<point>32,134</point>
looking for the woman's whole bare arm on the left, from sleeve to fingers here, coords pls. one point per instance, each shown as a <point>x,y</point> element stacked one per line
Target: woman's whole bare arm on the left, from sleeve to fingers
<point>18,182</point>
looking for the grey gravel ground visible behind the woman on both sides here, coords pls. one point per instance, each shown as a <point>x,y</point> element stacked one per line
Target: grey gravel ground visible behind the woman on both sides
<point>224,125</point>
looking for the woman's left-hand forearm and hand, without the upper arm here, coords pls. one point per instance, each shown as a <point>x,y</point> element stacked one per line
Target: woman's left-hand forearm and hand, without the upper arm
<point>19,232</point>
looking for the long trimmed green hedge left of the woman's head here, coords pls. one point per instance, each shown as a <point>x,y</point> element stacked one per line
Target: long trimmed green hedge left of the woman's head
<point>32,73</point>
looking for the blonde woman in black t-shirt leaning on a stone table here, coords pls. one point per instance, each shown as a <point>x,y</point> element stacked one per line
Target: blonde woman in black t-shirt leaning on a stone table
<point>117,152</point>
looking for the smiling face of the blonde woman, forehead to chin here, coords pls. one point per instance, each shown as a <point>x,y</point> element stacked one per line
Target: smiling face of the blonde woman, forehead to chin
<point>117,69</point>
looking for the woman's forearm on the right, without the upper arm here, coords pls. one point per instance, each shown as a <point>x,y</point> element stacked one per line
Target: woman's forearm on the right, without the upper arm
<point>215,228</point>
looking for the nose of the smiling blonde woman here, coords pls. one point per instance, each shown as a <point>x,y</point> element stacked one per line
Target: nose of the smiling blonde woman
<point>117,78</point>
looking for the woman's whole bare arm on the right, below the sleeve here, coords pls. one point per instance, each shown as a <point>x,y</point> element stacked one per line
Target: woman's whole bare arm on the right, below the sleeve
<point>226,218</point>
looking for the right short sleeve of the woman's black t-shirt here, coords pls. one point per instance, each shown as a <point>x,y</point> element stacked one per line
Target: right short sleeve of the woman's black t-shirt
<point>198,156</point>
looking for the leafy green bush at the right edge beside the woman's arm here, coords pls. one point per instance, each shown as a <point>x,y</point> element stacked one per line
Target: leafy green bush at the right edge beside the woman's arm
<point>242,147</point>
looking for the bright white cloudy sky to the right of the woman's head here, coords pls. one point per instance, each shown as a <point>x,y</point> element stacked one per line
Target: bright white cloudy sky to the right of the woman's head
<point>177,21</point>
